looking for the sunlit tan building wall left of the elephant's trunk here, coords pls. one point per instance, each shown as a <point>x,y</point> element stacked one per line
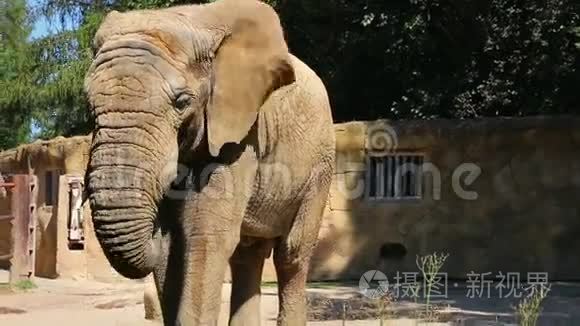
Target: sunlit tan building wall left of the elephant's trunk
<point>63,248</point>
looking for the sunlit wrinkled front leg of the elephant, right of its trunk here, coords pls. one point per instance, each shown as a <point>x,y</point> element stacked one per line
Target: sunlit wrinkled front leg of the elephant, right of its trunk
<point>213,222</point>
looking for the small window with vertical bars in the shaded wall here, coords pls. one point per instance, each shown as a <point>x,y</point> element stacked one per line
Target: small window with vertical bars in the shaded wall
<point>394,177</point>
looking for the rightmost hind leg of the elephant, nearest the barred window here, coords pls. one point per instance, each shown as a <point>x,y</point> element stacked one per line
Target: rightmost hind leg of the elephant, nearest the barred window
<point>292,257</point>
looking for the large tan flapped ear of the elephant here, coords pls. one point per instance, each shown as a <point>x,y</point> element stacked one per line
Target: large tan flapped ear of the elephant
<point>250,63</point>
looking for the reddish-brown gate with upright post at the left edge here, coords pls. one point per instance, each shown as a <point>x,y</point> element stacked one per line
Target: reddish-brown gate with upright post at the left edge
<point>21,191</point>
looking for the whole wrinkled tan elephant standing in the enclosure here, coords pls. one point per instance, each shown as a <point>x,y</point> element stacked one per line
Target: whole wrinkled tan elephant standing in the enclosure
<point>213,145</point>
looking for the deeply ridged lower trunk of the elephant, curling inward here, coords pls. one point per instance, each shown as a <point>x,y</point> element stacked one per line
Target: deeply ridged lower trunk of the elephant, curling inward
<point>123,209</point>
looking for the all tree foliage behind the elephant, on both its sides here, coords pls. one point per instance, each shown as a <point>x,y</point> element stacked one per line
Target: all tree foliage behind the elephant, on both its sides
<point>379,59</point>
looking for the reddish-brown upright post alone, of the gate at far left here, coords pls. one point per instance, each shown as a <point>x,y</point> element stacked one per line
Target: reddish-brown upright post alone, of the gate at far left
<point>21,211</point>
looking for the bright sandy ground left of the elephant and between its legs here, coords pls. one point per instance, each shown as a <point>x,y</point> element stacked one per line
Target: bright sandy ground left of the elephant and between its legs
<point>86,303</point>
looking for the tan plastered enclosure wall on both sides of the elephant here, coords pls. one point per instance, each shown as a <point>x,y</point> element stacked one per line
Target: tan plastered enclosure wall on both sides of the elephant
<point>525,217</point>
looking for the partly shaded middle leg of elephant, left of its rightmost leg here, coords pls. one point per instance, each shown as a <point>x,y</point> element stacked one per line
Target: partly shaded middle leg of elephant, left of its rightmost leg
<point>246,265</point>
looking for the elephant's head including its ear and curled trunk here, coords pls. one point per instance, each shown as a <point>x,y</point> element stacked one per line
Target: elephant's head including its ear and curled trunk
<point>165,84</point>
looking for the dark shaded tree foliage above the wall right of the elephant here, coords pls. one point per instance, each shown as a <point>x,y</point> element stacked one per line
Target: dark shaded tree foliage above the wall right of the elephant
<point>439,58</point>
